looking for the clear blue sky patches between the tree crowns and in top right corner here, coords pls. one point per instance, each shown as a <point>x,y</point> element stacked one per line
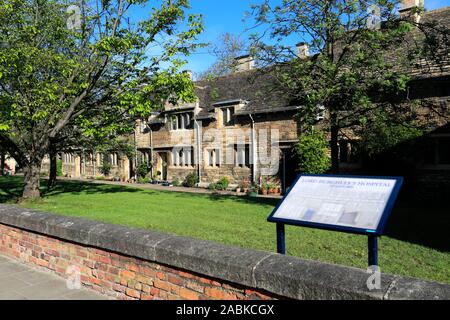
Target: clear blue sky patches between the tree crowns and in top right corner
<point>222,16</point>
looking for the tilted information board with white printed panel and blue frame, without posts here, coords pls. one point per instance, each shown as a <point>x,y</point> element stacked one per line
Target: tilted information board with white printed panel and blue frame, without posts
<point>343,203</point>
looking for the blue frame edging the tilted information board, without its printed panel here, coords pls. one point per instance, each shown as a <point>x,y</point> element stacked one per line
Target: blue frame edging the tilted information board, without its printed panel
<point>381,226</point>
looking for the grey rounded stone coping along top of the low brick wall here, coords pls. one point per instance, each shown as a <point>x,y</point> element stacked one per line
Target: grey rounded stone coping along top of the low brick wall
<point>284,276</point>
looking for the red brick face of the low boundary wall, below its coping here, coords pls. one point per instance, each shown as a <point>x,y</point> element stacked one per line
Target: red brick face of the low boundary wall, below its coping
<point>116,275</point>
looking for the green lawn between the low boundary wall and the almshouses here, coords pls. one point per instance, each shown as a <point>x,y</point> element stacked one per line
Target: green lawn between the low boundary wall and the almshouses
<point>242,222</point>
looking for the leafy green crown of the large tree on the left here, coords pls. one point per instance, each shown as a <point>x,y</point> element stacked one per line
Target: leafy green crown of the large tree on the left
<point>59,84</point>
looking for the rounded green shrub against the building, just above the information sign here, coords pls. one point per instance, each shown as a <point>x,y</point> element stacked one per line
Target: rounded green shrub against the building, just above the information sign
<point>312,153</point>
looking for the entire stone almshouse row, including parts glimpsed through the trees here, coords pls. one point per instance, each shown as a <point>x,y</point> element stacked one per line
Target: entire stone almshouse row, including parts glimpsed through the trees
<point>241,129</point>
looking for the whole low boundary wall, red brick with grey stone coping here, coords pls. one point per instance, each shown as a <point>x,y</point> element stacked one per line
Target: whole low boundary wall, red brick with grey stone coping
<point>140,264</point>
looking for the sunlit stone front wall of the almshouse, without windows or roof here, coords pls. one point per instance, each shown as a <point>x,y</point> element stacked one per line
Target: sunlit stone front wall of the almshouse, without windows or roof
<point>270,129</point>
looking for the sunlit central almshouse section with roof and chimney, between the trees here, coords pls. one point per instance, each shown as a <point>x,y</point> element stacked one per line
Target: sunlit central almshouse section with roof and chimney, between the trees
<point>233,130</point>
